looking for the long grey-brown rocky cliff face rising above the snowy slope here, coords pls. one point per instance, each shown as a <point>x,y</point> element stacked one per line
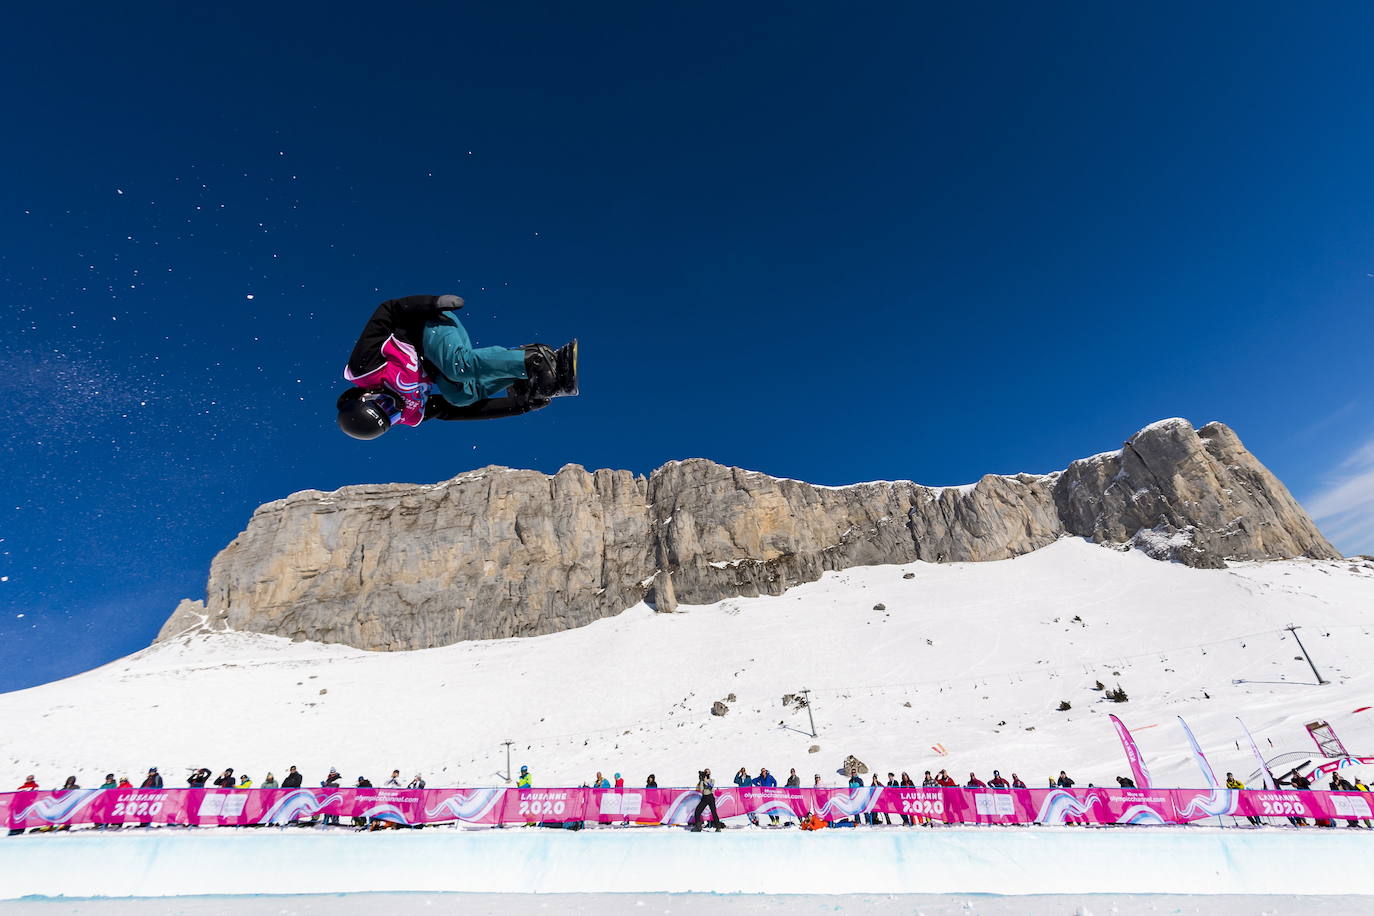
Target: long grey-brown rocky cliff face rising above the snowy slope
<point>502,553</point>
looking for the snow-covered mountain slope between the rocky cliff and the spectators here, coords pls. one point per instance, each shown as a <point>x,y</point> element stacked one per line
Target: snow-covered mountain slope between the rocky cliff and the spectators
<point>973,659</point>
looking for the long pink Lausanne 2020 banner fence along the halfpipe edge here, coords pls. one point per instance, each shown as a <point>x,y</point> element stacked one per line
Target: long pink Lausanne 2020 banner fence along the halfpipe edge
<point>491,807</point>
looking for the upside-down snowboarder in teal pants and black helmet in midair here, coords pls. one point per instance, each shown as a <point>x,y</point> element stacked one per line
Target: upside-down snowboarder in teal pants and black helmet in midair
<point>414,362</point>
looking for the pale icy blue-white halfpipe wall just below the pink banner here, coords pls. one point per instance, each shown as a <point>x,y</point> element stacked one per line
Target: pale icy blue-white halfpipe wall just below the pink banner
<point>997,860</point>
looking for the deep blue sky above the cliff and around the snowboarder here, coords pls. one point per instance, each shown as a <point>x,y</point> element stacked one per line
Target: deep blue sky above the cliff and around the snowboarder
<point>836,242</point>
